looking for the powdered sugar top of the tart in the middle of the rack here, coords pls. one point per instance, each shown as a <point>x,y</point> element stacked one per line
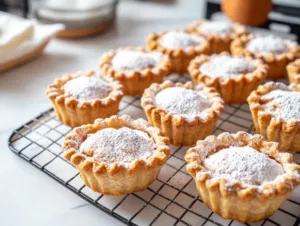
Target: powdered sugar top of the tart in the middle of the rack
<point>180,101</point>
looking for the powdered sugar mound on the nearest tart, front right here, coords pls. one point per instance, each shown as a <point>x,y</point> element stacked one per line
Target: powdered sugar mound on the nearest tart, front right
<point>243,164</point>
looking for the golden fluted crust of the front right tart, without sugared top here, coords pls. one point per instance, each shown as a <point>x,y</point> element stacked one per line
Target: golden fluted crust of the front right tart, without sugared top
<point>236,200</point>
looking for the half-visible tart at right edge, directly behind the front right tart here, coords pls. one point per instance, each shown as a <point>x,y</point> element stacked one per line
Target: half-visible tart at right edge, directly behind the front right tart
<point>275,110</point>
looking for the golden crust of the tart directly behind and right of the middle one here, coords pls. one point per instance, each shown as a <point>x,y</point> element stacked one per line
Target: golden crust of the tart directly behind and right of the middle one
<point>230,87</point>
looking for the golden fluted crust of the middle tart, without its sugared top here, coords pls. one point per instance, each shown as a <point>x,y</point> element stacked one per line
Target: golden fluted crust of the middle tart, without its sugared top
<point>179,130</point>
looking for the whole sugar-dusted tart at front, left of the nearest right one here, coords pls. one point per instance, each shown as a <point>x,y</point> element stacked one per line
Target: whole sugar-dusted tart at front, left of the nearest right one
<point>117,155</point>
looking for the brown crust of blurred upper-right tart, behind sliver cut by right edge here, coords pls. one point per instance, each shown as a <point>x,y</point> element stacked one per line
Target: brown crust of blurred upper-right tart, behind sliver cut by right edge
<point>277,62</point>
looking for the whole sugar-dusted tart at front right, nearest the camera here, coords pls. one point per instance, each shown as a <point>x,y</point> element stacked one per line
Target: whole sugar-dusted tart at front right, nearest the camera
<point>241,176</point>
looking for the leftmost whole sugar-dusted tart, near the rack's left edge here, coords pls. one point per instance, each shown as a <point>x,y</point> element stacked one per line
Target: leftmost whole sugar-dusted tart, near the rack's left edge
<point>83,97</point>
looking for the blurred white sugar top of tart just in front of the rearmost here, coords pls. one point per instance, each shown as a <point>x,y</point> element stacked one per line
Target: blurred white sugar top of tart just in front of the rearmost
<point>180,39</point>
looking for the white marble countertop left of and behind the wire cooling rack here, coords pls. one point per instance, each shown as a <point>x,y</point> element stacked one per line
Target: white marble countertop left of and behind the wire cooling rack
<point>29,197</point>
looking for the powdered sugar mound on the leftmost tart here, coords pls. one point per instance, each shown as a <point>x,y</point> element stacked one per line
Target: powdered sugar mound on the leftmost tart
<point>85,88</point>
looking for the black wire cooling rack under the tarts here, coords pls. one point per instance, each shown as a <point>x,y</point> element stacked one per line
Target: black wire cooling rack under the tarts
<point>170,200</point>
